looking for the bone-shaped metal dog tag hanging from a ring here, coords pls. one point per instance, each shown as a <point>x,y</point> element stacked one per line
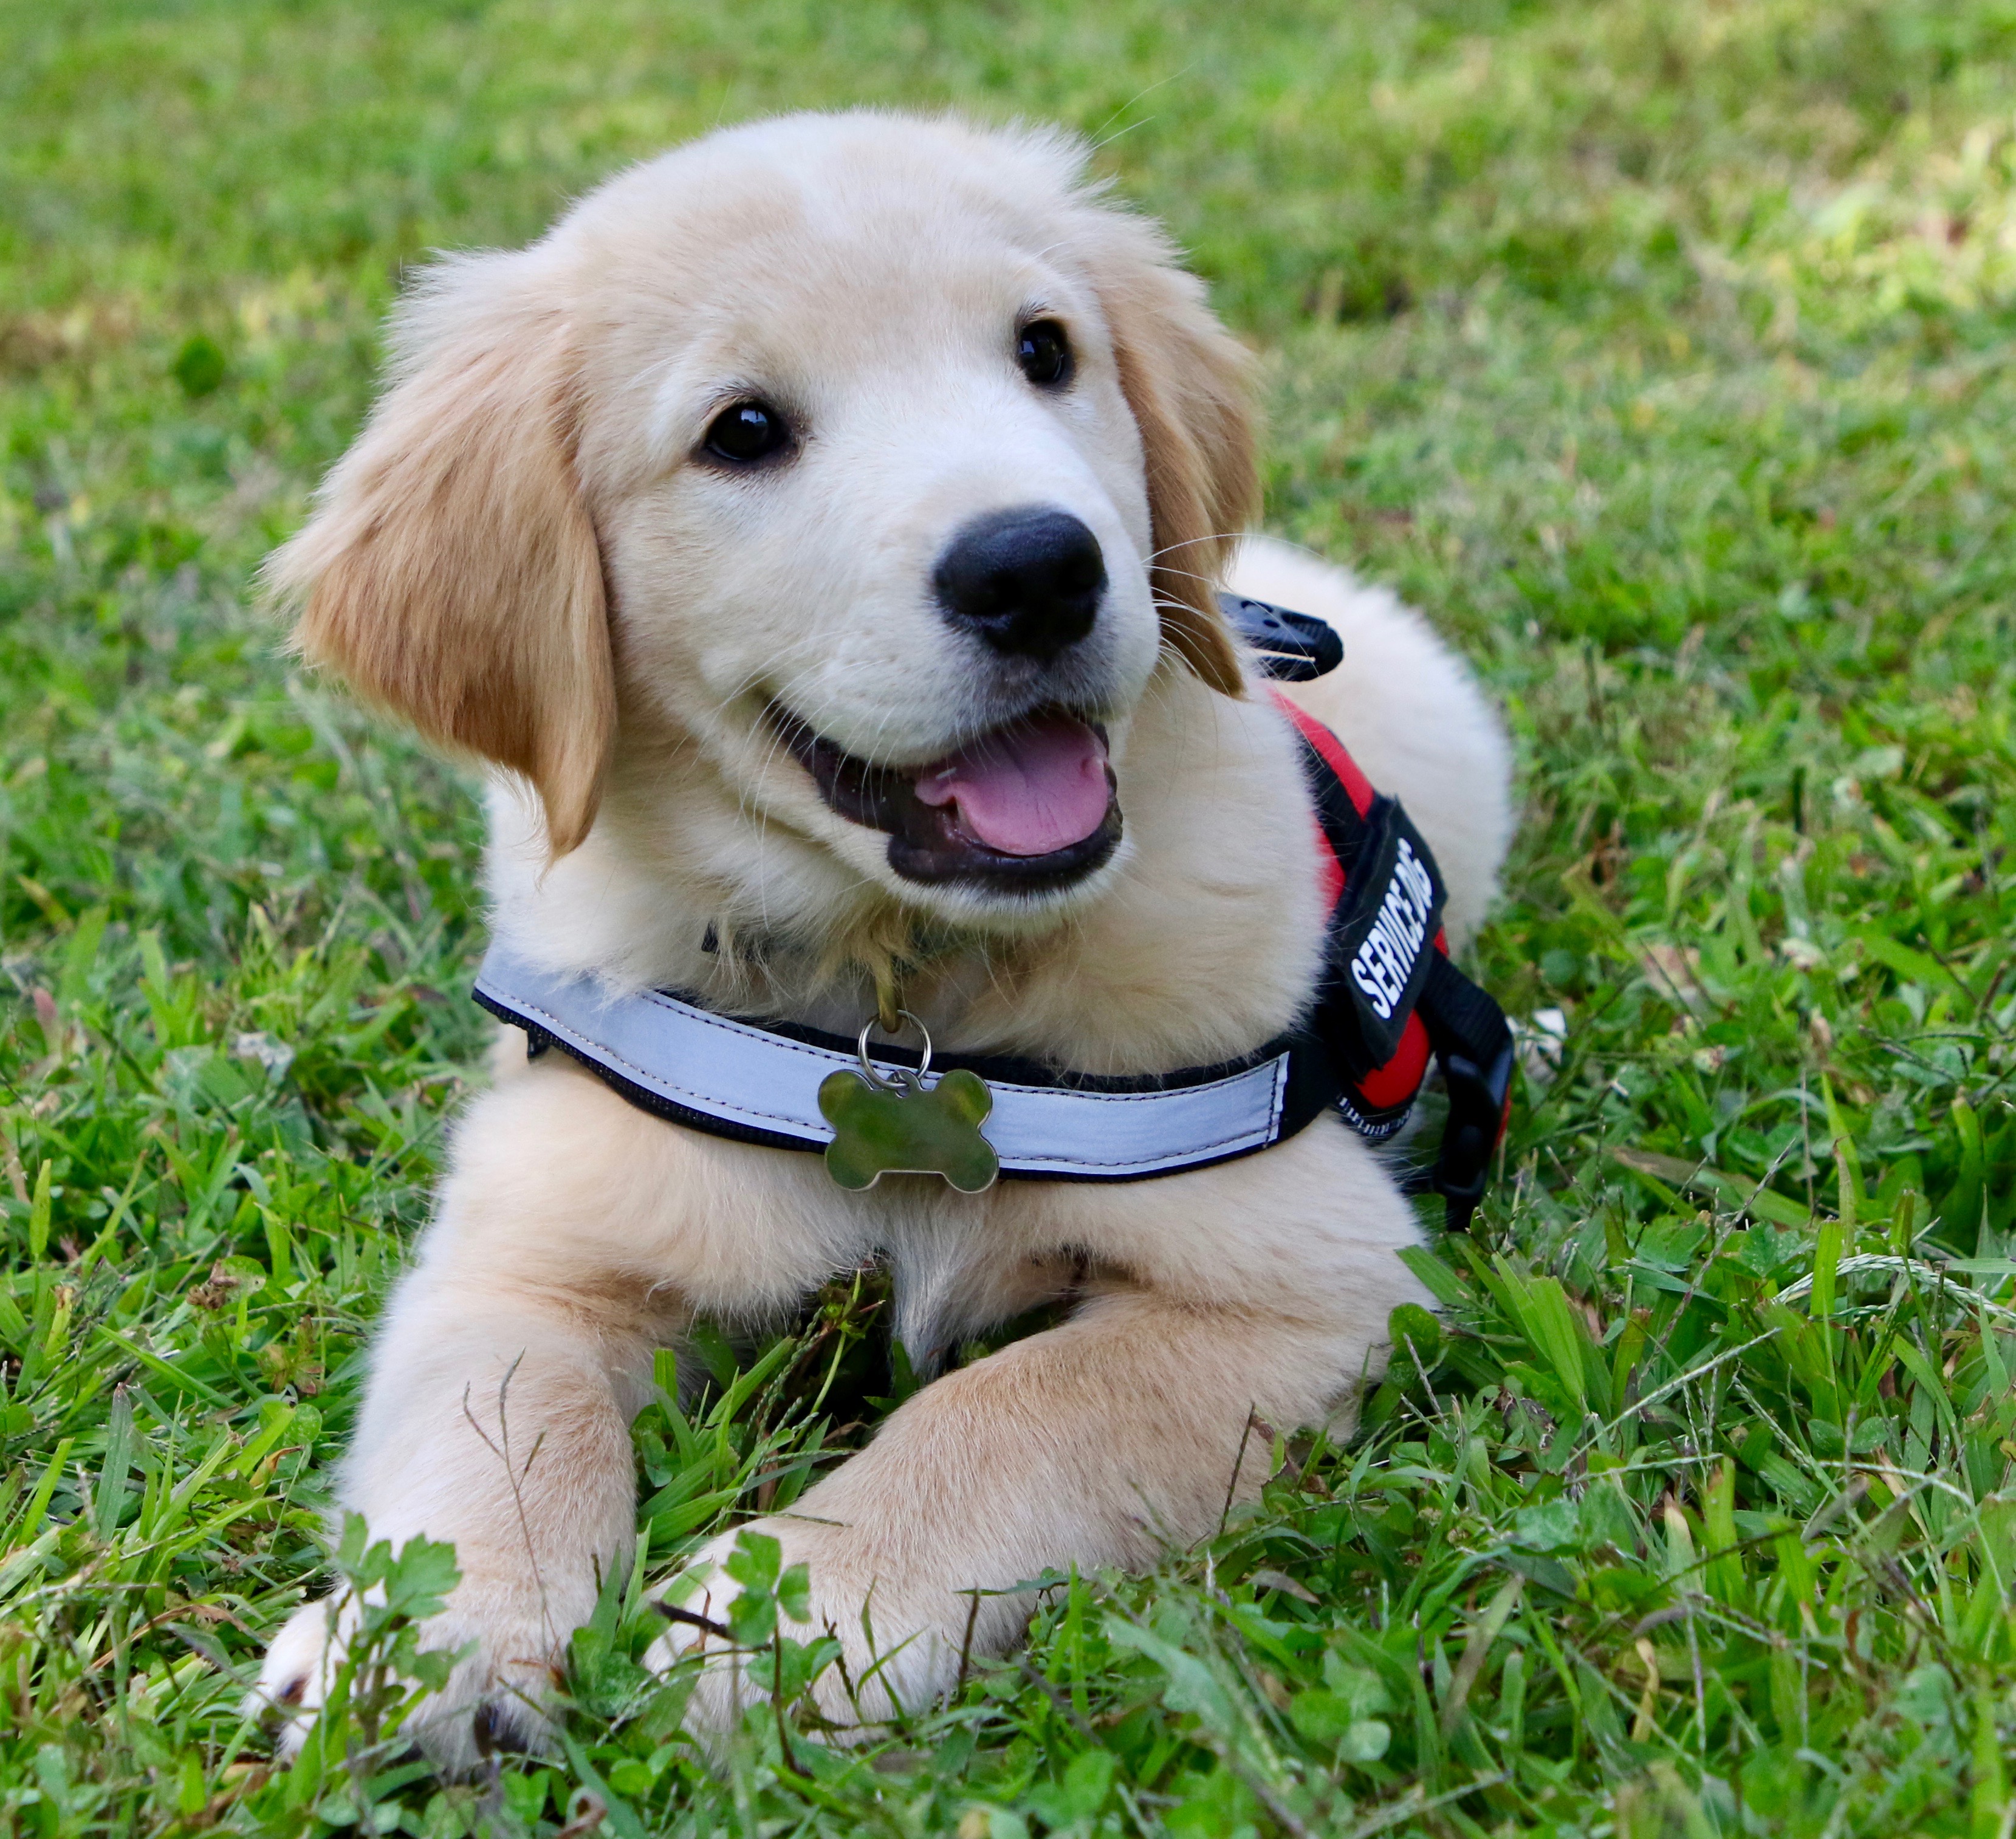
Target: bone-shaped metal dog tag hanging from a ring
<point>900,1126</point>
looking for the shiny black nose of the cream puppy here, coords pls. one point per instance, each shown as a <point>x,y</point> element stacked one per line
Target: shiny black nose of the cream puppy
<point>1029,582</point>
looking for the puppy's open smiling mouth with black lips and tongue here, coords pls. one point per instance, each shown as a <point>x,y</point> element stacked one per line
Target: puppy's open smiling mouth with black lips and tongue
<point>1025,808</point>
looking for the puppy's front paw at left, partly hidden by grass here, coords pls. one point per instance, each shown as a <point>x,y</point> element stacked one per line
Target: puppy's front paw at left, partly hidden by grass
<point>493,1699</point>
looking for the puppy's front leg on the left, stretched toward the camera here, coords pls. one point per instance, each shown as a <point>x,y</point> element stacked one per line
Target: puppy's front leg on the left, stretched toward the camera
<point>576,1237</point>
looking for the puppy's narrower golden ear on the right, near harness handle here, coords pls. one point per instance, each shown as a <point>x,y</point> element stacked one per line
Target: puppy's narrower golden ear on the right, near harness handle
<point>1188,384</point>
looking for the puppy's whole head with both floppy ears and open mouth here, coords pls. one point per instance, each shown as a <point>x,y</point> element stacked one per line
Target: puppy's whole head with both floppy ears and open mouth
<point>876,463</point>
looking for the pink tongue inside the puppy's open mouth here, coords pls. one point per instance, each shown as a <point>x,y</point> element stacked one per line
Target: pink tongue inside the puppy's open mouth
<point>1027,789</point>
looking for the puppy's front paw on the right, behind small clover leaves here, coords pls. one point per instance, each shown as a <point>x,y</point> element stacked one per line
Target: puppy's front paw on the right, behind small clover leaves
<point>894,1654</point>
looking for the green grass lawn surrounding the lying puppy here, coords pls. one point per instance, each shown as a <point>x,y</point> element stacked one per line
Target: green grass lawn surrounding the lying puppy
<point>1660,348</point>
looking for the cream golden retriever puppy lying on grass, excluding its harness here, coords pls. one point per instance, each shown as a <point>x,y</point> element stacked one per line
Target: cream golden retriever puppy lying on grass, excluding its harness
<point>820,531</point>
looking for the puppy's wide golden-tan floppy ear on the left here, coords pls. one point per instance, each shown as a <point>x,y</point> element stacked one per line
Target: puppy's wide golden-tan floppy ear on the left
<point>451,572</point>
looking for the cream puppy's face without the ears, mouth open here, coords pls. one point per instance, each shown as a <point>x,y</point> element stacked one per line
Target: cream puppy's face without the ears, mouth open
<point>876,517</point>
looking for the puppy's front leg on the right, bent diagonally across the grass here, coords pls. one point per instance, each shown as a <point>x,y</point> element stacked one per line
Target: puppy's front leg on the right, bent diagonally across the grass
<point>1098,1443</point>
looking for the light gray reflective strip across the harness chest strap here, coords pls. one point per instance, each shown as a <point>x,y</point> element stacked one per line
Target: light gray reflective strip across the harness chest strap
<point>769,1082</point>
